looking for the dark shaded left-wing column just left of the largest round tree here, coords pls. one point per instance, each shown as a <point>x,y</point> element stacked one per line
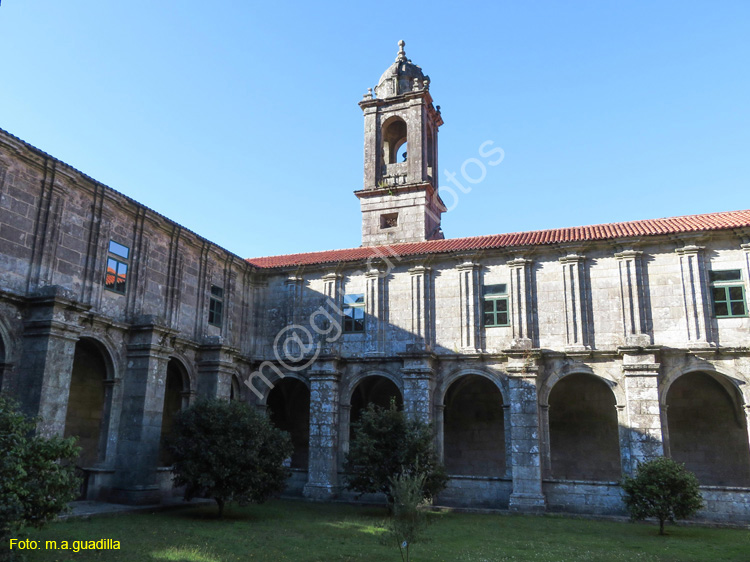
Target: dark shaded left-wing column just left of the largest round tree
<point>140,420</point>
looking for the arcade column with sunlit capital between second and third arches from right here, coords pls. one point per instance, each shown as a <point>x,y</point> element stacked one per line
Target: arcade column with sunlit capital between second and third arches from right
<point>526,466</point>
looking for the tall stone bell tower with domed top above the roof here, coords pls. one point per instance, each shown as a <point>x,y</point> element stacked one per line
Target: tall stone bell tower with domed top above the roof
<point>400,202</point>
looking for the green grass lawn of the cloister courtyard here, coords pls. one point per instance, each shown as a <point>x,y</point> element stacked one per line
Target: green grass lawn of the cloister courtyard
<point>289,530</point>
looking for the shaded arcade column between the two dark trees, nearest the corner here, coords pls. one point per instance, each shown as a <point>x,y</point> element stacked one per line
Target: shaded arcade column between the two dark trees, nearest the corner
<point>322,479</point>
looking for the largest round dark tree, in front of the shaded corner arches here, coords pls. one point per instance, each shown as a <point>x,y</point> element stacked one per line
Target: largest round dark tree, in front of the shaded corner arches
<point>229,452</point>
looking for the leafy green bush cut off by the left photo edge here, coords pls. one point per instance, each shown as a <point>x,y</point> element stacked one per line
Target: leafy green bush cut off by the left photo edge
<point>37,474</point>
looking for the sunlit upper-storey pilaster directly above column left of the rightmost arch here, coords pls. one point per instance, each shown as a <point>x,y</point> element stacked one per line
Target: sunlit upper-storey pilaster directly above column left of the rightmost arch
<point>630,266</point>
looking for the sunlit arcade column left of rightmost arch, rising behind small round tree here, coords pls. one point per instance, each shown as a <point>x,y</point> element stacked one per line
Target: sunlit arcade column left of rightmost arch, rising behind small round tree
<point>643,415</point>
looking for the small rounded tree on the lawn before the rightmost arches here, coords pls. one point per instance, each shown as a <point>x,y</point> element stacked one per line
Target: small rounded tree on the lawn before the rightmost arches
<point>664,489</point>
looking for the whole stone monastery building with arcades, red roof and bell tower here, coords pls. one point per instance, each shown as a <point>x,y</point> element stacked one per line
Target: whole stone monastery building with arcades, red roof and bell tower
<point>549,362</point>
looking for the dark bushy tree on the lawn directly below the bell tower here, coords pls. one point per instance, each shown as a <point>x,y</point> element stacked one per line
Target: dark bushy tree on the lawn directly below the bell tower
<point>385,444</point>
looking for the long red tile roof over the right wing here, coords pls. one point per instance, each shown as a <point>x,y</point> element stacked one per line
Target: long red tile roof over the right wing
<point>653,227</point>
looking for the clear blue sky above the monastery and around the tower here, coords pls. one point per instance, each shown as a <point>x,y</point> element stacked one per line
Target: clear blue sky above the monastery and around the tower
<point>239,120</point>
